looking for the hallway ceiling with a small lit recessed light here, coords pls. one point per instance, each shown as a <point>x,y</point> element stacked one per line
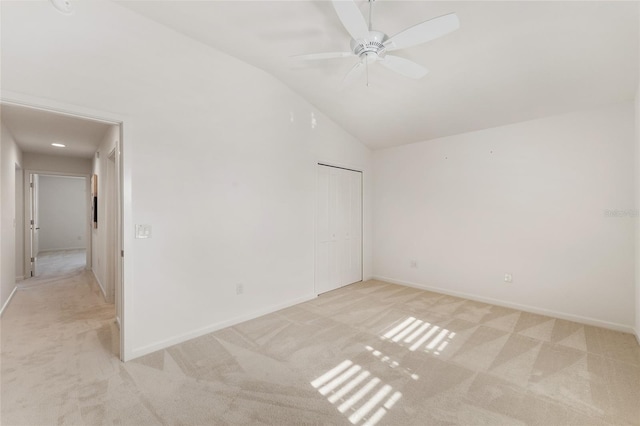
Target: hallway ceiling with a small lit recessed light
<point>34,131</point>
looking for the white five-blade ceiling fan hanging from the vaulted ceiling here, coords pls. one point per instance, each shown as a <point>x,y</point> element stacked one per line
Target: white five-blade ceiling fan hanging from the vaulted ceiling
<point>371,46</point>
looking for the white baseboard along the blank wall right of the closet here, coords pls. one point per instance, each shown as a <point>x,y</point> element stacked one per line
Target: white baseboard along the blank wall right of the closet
<point>526,308</point>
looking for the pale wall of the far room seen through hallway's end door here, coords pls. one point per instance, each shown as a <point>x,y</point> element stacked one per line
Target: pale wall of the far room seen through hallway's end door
<point>62,212</point>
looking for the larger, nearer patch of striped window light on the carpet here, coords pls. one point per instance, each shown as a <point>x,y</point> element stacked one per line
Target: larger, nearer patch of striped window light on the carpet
<point>365,399</point>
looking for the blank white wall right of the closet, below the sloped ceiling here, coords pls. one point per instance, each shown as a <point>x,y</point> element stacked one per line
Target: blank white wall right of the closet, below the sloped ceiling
<point>527,199</point>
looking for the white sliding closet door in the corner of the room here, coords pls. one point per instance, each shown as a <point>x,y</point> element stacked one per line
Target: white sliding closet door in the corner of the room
<point>339,228</point>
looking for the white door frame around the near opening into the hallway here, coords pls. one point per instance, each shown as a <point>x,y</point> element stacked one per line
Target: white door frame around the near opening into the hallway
<point>125,213</point>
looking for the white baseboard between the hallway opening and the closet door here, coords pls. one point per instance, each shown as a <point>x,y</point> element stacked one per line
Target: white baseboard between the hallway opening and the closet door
<point>153,347</point>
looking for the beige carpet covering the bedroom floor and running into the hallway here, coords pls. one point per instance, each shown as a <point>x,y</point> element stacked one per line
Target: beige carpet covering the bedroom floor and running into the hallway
<point>368,353</point>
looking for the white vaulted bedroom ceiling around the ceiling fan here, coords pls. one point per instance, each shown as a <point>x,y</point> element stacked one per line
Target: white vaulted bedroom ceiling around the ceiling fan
<point>510,61</point>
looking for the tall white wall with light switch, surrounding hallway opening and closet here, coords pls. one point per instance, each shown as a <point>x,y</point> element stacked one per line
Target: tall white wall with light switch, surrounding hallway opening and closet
<point>221,163</point>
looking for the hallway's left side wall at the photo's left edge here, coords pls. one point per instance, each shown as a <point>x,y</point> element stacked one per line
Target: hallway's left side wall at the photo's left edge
<point>10,155</point>
